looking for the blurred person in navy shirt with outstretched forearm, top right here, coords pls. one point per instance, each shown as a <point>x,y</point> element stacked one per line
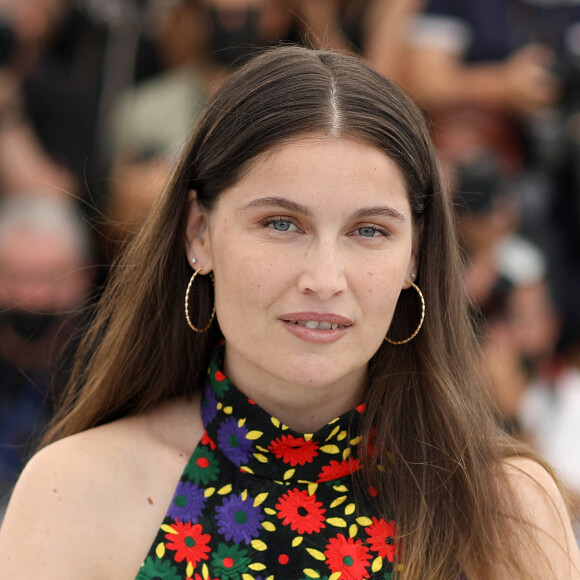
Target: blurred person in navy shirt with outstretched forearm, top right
<point>515,64</point>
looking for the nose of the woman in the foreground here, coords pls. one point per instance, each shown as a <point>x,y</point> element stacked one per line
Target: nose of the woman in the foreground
<point>323,271</point>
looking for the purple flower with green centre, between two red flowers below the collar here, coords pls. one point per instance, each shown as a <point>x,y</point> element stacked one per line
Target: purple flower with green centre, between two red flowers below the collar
<point>239,520</point>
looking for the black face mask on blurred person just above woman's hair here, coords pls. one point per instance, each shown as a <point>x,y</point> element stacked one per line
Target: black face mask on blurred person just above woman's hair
<point>231,46</point>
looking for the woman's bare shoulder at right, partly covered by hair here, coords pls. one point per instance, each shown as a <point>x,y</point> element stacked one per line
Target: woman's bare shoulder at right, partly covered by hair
<point>543,506</point>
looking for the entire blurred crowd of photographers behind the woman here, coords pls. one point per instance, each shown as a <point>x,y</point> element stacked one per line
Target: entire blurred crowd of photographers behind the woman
<point>98,96</point>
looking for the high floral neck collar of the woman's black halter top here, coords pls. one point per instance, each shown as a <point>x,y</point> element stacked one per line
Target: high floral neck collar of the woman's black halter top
<point>261,445</point>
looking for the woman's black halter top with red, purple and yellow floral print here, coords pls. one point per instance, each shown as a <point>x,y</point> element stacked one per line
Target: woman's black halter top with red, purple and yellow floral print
<point>258,501</point>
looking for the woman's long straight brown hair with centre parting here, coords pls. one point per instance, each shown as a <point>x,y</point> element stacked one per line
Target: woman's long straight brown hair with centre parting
<point>437,451</point>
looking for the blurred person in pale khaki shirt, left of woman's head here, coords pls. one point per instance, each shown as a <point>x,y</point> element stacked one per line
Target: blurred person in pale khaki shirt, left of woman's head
<point>150,121</point>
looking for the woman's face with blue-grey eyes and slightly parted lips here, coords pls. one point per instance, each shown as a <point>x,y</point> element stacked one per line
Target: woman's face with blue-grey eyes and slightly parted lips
<point>310,250</point>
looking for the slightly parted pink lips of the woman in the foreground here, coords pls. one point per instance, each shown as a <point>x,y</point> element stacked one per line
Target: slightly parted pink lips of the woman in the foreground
<point>334,326</point>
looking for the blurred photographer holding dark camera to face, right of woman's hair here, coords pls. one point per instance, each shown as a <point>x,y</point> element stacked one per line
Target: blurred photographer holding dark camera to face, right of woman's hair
<point>501,267</point>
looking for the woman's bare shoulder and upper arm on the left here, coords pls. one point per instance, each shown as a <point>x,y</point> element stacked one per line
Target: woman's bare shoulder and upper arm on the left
<point>89,505</point>
